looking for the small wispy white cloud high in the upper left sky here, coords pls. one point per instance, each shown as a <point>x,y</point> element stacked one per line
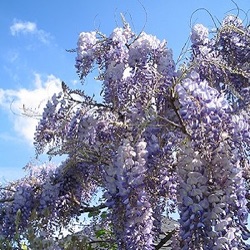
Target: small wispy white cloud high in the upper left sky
<point>21,27</point>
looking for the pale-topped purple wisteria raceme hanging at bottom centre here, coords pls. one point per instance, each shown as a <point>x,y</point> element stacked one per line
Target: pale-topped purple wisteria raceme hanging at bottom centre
<point>126,191</point>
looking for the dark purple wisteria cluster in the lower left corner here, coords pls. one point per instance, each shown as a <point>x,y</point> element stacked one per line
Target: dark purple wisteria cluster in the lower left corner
<point>52,194</point>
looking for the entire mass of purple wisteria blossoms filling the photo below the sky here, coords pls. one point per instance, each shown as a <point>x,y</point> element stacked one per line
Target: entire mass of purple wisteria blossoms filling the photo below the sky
<point>165,138</point>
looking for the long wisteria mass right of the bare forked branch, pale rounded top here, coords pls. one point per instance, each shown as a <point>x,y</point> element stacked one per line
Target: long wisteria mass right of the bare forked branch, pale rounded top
<point>211,175</point>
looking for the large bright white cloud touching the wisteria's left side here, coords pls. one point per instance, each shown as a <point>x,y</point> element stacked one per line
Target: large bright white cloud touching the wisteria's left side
<point>29,101</point>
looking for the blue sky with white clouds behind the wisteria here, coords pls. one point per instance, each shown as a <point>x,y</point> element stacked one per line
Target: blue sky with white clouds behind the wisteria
<point>33,58</point>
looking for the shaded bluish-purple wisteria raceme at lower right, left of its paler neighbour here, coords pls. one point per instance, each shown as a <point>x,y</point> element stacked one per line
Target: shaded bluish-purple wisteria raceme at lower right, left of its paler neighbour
<point>193,200</point>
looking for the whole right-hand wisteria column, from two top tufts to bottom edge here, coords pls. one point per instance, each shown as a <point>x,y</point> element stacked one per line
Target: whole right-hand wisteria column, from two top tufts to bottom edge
<point>212,194</point>
